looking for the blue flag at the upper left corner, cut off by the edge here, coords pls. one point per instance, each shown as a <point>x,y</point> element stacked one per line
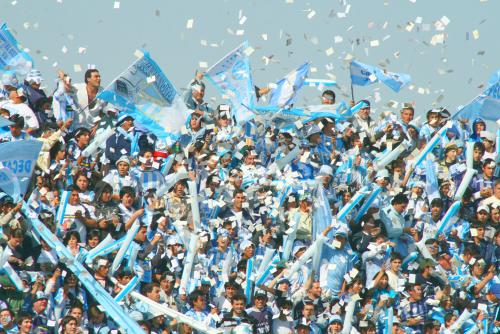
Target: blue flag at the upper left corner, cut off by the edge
<point>11,57</point>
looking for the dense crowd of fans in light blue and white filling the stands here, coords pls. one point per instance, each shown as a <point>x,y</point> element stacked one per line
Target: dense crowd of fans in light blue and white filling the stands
<point>383,263</point>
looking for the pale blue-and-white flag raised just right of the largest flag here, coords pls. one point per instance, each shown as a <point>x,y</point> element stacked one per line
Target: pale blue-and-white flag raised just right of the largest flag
<point>232,77</point>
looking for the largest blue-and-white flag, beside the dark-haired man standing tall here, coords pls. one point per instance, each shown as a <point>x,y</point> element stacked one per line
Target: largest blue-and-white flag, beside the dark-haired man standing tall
<point>145,92</point>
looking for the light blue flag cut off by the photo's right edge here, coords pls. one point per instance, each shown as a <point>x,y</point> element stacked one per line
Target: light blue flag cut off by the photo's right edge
<point>486,105</point>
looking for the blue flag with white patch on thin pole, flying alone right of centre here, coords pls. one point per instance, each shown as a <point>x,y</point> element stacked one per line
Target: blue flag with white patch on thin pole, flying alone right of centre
<point>363,75</point>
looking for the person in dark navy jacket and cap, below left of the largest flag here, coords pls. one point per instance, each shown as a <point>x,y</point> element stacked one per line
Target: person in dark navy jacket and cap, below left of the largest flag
<point>120,142</point>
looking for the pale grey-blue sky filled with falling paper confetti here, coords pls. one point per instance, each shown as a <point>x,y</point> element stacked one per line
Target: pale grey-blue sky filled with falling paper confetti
<point>451,72</point>
